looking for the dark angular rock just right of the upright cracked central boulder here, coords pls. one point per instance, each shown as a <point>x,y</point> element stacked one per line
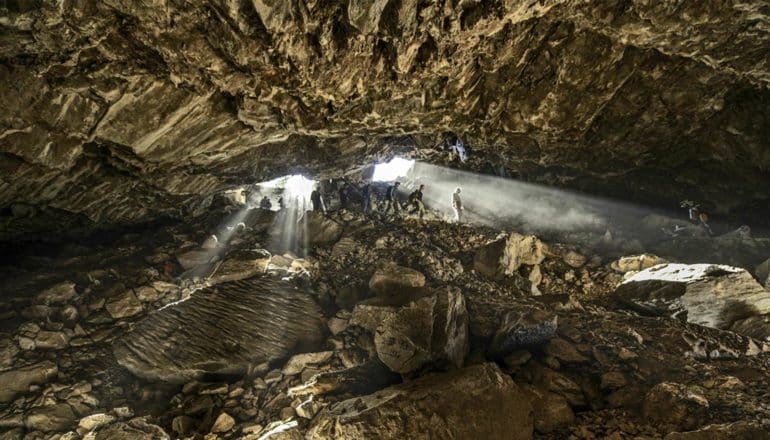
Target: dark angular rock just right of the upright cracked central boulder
<point>523,329</point>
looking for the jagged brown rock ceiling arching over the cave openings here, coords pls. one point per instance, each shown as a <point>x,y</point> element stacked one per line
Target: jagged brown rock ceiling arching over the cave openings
<point>120,109</point>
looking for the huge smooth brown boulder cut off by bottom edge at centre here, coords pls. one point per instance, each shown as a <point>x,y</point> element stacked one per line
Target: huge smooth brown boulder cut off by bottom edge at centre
<point>478,402</point>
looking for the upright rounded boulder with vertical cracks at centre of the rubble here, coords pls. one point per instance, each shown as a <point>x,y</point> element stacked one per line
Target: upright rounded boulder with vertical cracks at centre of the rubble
<point>432,329</point>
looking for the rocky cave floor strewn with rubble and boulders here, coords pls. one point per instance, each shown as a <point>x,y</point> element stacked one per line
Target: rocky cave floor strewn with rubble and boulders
<point>385,329</point>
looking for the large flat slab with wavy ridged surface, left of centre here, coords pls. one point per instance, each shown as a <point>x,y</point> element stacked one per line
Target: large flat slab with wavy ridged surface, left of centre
<point>222,329</point>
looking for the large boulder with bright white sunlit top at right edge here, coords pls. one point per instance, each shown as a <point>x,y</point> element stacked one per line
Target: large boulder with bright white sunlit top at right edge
<point>711,295</point>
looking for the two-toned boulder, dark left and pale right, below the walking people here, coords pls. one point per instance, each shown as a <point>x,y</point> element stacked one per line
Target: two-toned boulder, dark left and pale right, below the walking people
<point>506,255</point>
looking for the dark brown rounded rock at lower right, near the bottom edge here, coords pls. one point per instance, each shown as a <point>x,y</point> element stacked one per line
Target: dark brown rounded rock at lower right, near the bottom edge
<point>675,407</point>
